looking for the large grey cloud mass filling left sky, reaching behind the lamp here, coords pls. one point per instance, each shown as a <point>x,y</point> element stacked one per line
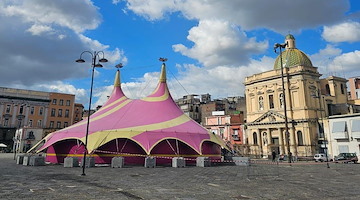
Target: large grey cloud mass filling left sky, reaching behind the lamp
<point>40,40</point>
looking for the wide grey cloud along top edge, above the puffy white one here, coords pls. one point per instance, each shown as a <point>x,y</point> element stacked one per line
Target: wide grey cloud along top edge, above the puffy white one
<point>277,15</point>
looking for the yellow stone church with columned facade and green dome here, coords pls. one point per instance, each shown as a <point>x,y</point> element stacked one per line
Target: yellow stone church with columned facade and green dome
<point>307,98</point>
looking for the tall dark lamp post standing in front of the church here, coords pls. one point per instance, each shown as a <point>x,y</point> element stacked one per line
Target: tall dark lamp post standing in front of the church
<point>282,46</point>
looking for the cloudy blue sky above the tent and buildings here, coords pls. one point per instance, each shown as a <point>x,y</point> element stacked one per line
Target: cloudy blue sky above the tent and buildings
<point>211,45</point>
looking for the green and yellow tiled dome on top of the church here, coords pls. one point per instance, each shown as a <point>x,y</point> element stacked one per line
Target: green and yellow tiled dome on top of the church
<point>292,57</point>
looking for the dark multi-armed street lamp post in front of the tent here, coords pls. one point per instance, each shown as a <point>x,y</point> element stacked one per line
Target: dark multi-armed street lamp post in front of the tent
<point>94,57</point>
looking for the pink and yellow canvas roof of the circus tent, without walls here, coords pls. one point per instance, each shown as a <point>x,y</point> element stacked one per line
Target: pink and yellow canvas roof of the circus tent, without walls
<point>146,121</point>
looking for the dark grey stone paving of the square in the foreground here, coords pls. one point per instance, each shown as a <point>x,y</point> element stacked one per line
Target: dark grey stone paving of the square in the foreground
<point>307,180</point>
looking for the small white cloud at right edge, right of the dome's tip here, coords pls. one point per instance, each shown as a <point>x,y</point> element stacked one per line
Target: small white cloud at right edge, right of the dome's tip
<point>344,32</point>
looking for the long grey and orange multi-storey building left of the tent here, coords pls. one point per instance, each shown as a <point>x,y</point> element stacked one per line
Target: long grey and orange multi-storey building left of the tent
<point>20,108</point>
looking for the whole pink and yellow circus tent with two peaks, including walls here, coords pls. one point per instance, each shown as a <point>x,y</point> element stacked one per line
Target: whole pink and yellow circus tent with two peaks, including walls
<point>134,128</point>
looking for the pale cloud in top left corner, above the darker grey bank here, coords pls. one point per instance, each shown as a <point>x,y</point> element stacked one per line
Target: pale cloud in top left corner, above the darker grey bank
<point>75,15</point>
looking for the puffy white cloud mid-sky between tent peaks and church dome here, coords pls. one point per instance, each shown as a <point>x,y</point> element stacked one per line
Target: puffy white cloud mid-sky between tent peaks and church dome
<point>220,43</point>
